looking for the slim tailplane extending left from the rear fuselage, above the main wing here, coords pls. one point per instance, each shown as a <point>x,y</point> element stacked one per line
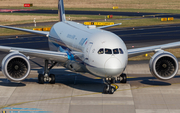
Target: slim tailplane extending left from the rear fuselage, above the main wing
<point>42,33</point>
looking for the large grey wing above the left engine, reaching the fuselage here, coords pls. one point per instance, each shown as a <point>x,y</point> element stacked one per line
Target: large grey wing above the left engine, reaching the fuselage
<point>49,55</point>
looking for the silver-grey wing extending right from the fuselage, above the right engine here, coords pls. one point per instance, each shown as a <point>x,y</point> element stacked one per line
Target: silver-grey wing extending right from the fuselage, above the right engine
<point>143,50</point>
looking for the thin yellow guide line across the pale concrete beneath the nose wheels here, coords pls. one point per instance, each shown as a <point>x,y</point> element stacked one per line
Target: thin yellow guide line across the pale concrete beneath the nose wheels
<point>10,105</point>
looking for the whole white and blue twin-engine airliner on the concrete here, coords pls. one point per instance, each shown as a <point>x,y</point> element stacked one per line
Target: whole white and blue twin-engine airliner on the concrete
<point>82,48</point>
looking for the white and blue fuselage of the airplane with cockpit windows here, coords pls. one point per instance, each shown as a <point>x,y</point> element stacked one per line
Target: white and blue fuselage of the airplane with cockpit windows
<point>103,53</point>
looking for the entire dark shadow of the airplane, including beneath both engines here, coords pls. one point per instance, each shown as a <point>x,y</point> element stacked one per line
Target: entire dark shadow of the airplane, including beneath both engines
<point>81,82</point>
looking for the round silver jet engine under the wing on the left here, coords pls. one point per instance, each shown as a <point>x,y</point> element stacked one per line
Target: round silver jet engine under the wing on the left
<point>15,66</point>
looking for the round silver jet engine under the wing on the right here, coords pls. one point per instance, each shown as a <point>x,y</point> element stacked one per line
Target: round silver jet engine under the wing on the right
<point>163,65</point>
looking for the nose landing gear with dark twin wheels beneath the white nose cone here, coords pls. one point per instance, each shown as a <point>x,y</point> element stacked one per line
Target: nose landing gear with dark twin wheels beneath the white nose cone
<point>108,88</point>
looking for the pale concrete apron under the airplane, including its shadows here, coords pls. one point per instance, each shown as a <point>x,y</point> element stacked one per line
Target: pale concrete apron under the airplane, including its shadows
<point>82,93</point>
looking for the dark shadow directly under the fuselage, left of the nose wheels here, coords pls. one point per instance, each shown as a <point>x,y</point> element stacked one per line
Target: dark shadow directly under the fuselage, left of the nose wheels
<point>74,80</point>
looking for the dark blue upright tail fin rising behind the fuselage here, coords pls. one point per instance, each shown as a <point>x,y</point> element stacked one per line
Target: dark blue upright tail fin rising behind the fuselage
<point>61,11</point>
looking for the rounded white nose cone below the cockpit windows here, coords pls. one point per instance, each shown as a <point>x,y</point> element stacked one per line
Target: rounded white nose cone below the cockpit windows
<point>113,67</point>
